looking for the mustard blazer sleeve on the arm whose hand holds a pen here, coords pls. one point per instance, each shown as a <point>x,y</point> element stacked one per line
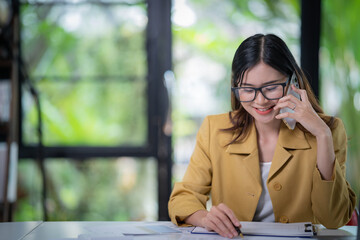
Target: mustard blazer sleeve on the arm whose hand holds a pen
<point>191,194</point>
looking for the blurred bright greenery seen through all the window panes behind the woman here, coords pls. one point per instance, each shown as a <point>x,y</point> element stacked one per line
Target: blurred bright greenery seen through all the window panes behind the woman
<point>96,96</point>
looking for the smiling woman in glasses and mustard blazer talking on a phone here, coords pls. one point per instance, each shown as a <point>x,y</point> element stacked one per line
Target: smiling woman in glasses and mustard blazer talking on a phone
<point>253,165</point>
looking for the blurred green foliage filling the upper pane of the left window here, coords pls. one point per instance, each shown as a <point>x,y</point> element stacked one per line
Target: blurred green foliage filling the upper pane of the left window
<point>90,81</point>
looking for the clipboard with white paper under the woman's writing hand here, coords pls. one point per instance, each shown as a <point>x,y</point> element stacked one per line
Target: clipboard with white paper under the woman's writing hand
<point>302,229</point>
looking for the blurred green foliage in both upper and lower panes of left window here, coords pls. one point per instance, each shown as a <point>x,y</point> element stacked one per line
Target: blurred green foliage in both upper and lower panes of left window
<point>93,91</point>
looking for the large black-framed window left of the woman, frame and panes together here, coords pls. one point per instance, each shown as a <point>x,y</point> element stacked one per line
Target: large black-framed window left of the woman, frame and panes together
<point>99,72</point>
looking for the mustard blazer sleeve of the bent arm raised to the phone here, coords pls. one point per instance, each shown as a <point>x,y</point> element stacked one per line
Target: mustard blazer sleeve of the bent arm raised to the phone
<point>334,201</point>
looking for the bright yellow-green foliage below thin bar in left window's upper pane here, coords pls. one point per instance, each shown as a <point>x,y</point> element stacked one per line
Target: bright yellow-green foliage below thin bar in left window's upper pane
<point>90,113</point>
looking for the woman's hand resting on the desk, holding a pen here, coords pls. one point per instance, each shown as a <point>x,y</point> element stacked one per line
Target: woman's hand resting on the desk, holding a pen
<point>222,220</point>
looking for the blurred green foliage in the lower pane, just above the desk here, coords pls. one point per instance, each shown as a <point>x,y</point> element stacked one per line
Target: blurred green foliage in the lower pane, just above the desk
<point>96,189</point>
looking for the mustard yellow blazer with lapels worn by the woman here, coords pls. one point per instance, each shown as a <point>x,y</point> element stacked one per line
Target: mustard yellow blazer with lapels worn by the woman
<point>231,175</point>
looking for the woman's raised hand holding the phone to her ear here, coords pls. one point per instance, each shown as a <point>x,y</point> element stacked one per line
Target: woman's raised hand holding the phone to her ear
<point>303,113</point>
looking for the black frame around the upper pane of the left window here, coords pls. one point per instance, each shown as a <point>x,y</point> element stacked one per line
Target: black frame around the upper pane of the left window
<point>159,60</point>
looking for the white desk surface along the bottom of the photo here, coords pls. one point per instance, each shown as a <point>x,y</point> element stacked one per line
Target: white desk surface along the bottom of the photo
<point>71,231</point>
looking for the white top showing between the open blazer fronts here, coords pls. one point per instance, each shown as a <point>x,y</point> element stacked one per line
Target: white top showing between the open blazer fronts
<point>264,210</point>
